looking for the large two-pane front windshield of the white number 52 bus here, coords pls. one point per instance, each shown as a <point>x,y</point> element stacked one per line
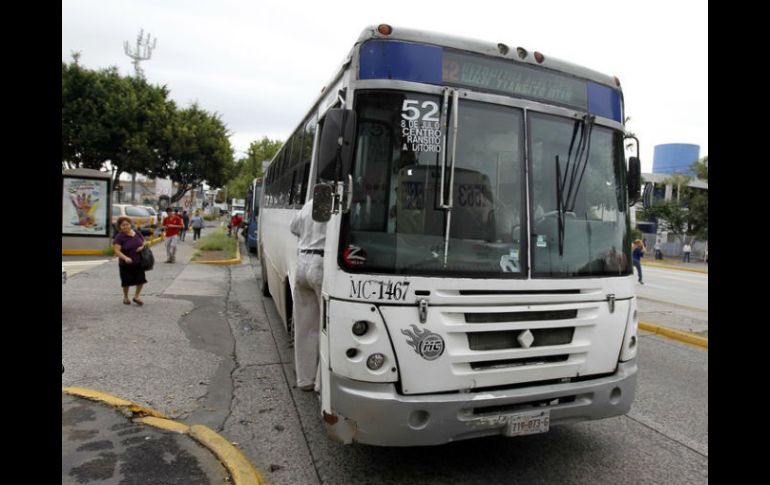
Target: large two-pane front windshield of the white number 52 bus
<point>395,224</point>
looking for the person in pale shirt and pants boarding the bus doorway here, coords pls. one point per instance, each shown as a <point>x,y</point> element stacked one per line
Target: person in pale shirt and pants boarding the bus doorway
<point>307,294</point>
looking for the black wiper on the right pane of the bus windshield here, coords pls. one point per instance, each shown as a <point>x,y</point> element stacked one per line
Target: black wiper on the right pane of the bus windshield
<point>573,173</point>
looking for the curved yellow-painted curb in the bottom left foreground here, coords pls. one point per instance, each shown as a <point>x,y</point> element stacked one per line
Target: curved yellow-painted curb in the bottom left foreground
<point>239,467</point>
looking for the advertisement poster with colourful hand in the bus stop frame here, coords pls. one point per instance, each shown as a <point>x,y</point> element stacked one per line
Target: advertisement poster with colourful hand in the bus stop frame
<point>84,208</point>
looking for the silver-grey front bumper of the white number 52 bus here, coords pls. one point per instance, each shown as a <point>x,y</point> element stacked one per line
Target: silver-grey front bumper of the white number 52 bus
<point>376,414</point>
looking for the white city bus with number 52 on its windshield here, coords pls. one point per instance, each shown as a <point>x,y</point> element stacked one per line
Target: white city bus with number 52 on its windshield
<point>477,270</point>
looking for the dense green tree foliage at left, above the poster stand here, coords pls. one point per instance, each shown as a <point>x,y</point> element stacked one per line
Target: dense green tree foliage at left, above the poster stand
<point>133,125</point>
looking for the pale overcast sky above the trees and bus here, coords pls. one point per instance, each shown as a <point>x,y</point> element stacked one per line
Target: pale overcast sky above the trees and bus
<point>259,64</point>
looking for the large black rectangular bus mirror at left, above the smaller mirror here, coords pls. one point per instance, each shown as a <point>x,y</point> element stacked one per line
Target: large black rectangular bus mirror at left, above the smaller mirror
<point>335,149</point>
